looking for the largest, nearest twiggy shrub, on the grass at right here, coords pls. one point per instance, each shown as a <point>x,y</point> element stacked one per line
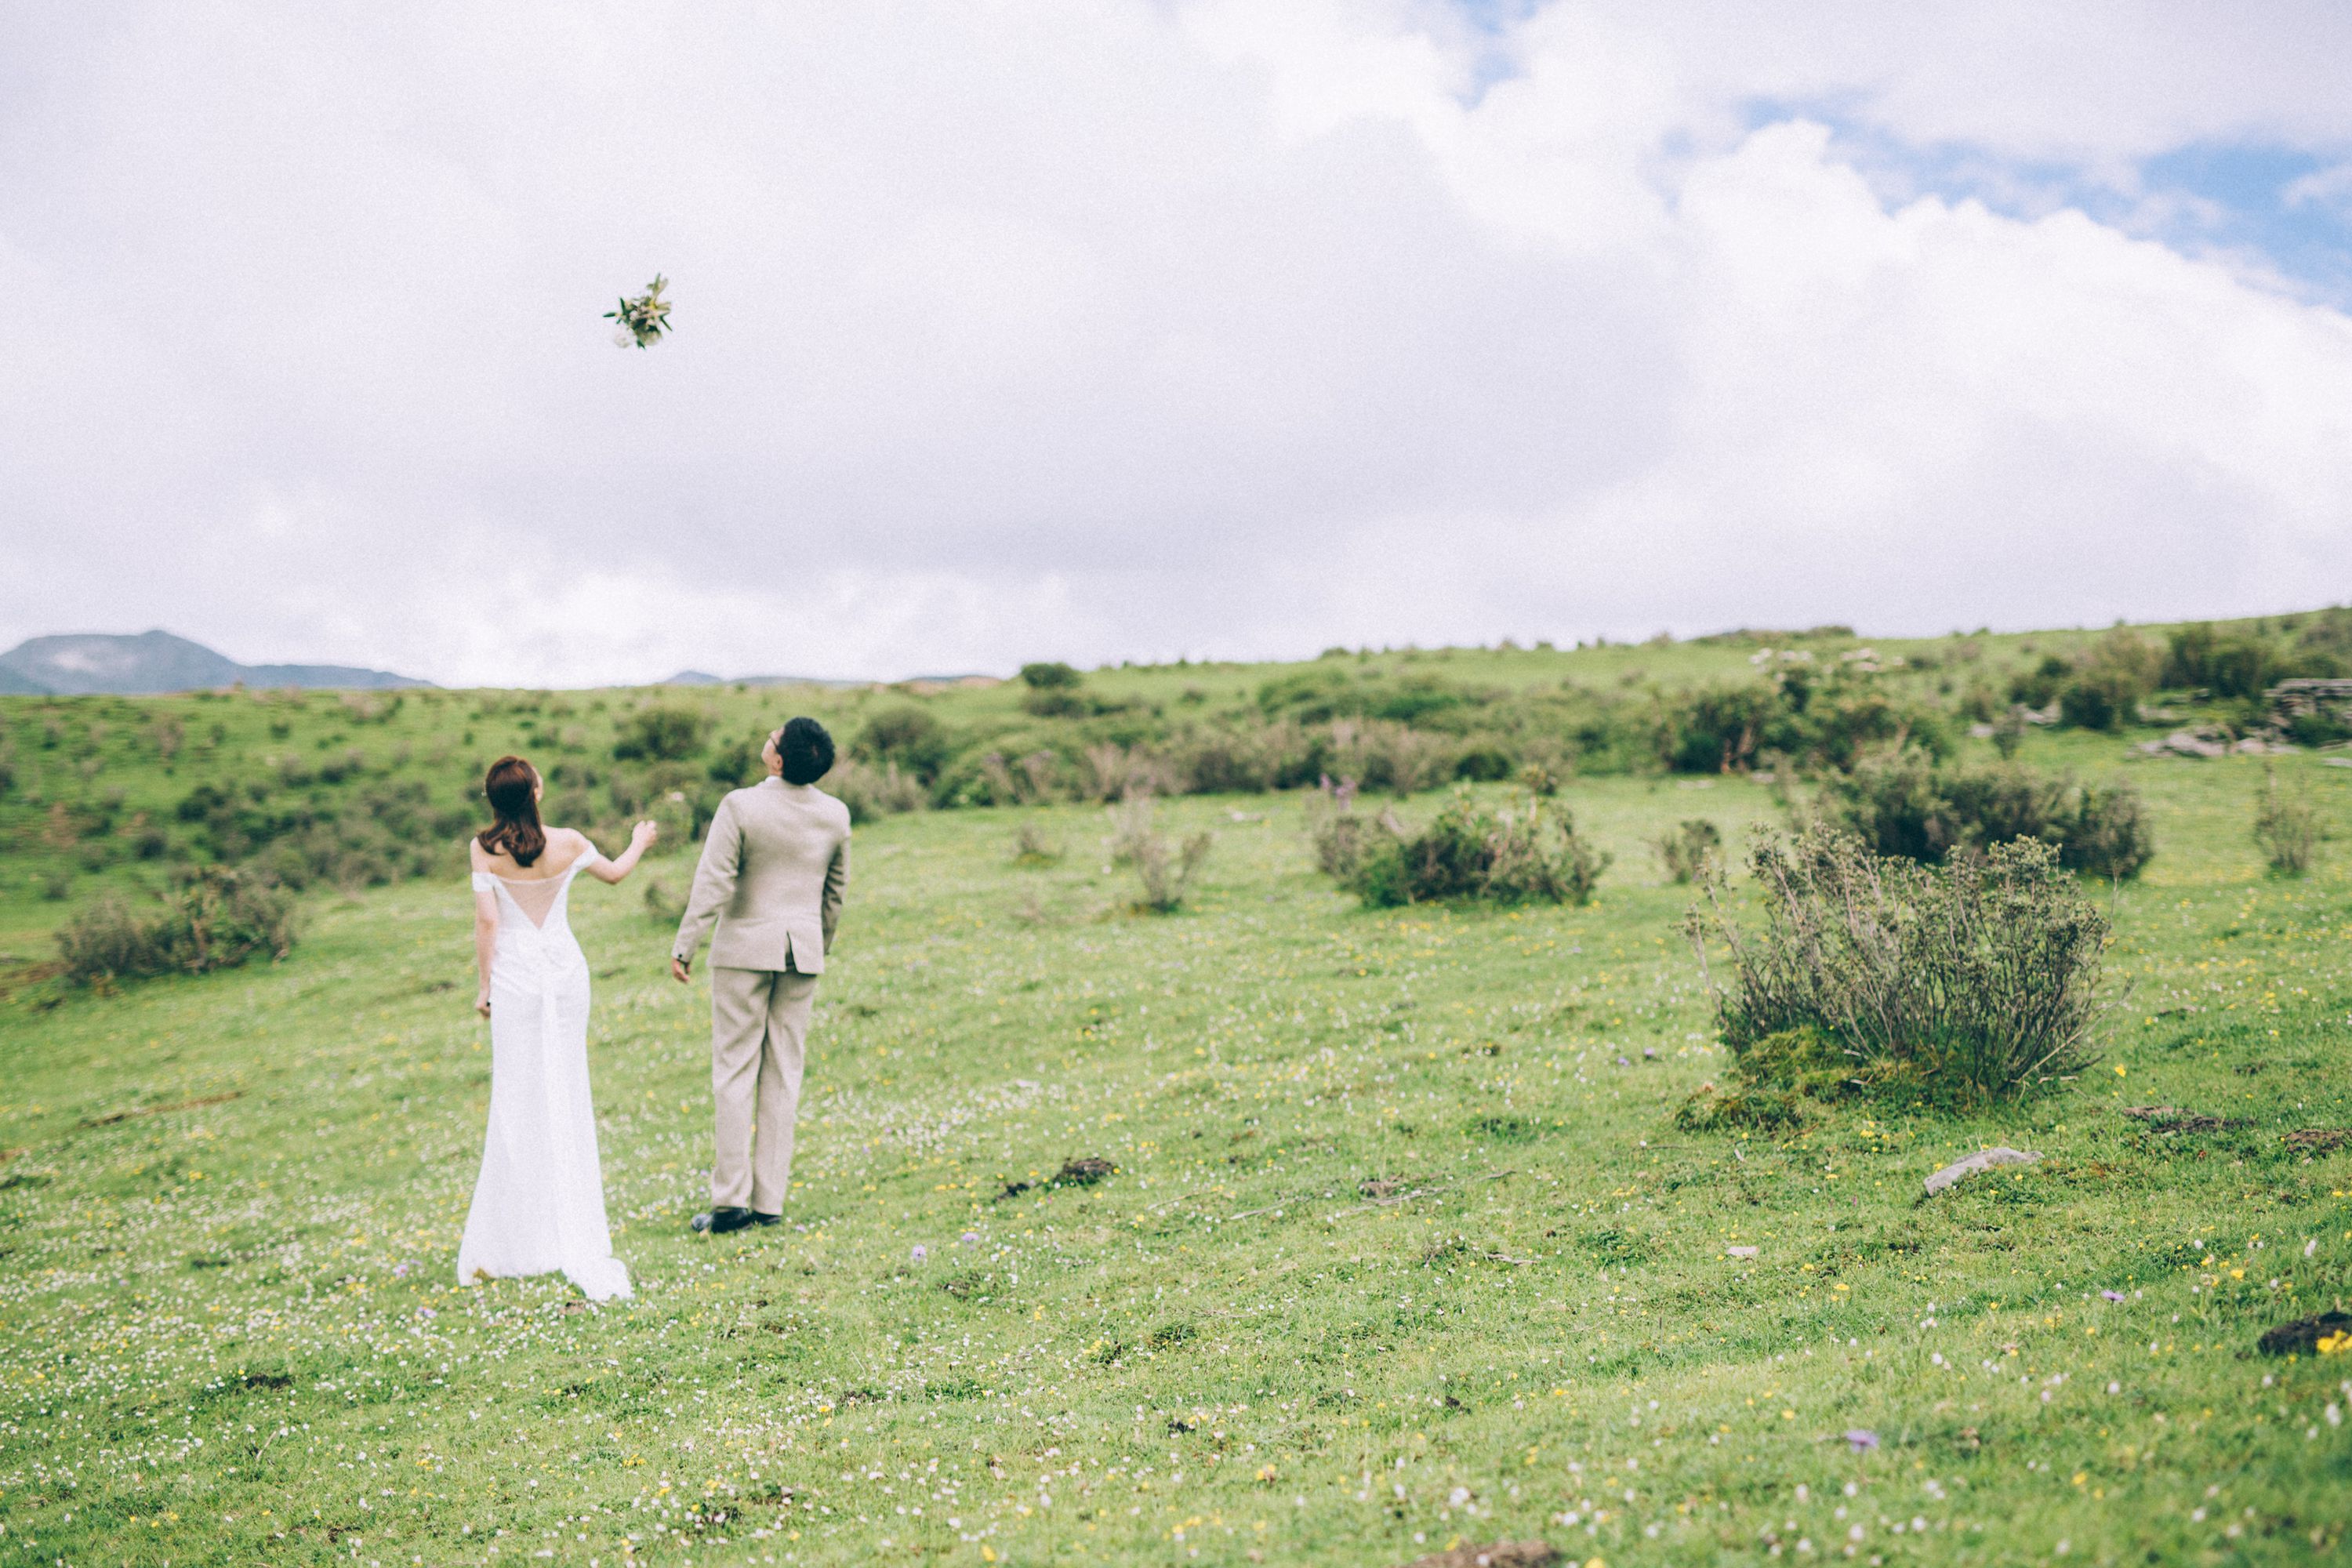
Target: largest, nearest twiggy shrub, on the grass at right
<point>1958,984</point>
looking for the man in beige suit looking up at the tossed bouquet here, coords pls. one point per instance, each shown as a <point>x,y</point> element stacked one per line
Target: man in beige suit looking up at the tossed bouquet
<point>773,878</point>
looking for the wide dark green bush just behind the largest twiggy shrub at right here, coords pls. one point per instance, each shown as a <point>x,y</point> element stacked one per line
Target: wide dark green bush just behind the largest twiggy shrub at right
<point>1909,805</point>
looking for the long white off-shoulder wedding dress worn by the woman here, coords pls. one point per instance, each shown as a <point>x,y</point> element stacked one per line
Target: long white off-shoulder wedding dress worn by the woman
<point>540,1202</point>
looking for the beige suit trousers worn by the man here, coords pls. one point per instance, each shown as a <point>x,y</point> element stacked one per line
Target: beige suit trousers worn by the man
<point>759,1038</point>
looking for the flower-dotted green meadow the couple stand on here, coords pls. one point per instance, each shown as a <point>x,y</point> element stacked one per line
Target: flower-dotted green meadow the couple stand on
<point>229,1212</point>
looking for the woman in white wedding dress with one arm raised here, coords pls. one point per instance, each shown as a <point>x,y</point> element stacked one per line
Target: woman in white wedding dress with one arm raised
<point>540,1202</point>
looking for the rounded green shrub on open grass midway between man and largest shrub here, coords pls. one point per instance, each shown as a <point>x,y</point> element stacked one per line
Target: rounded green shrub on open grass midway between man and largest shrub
<point>1530,855</point>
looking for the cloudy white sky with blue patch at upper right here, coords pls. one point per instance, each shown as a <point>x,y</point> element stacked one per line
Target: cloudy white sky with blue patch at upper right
<point>1116,330</point>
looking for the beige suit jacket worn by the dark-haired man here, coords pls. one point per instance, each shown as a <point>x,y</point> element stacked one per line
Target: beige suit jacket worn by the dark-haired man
<point>773,876</point>
